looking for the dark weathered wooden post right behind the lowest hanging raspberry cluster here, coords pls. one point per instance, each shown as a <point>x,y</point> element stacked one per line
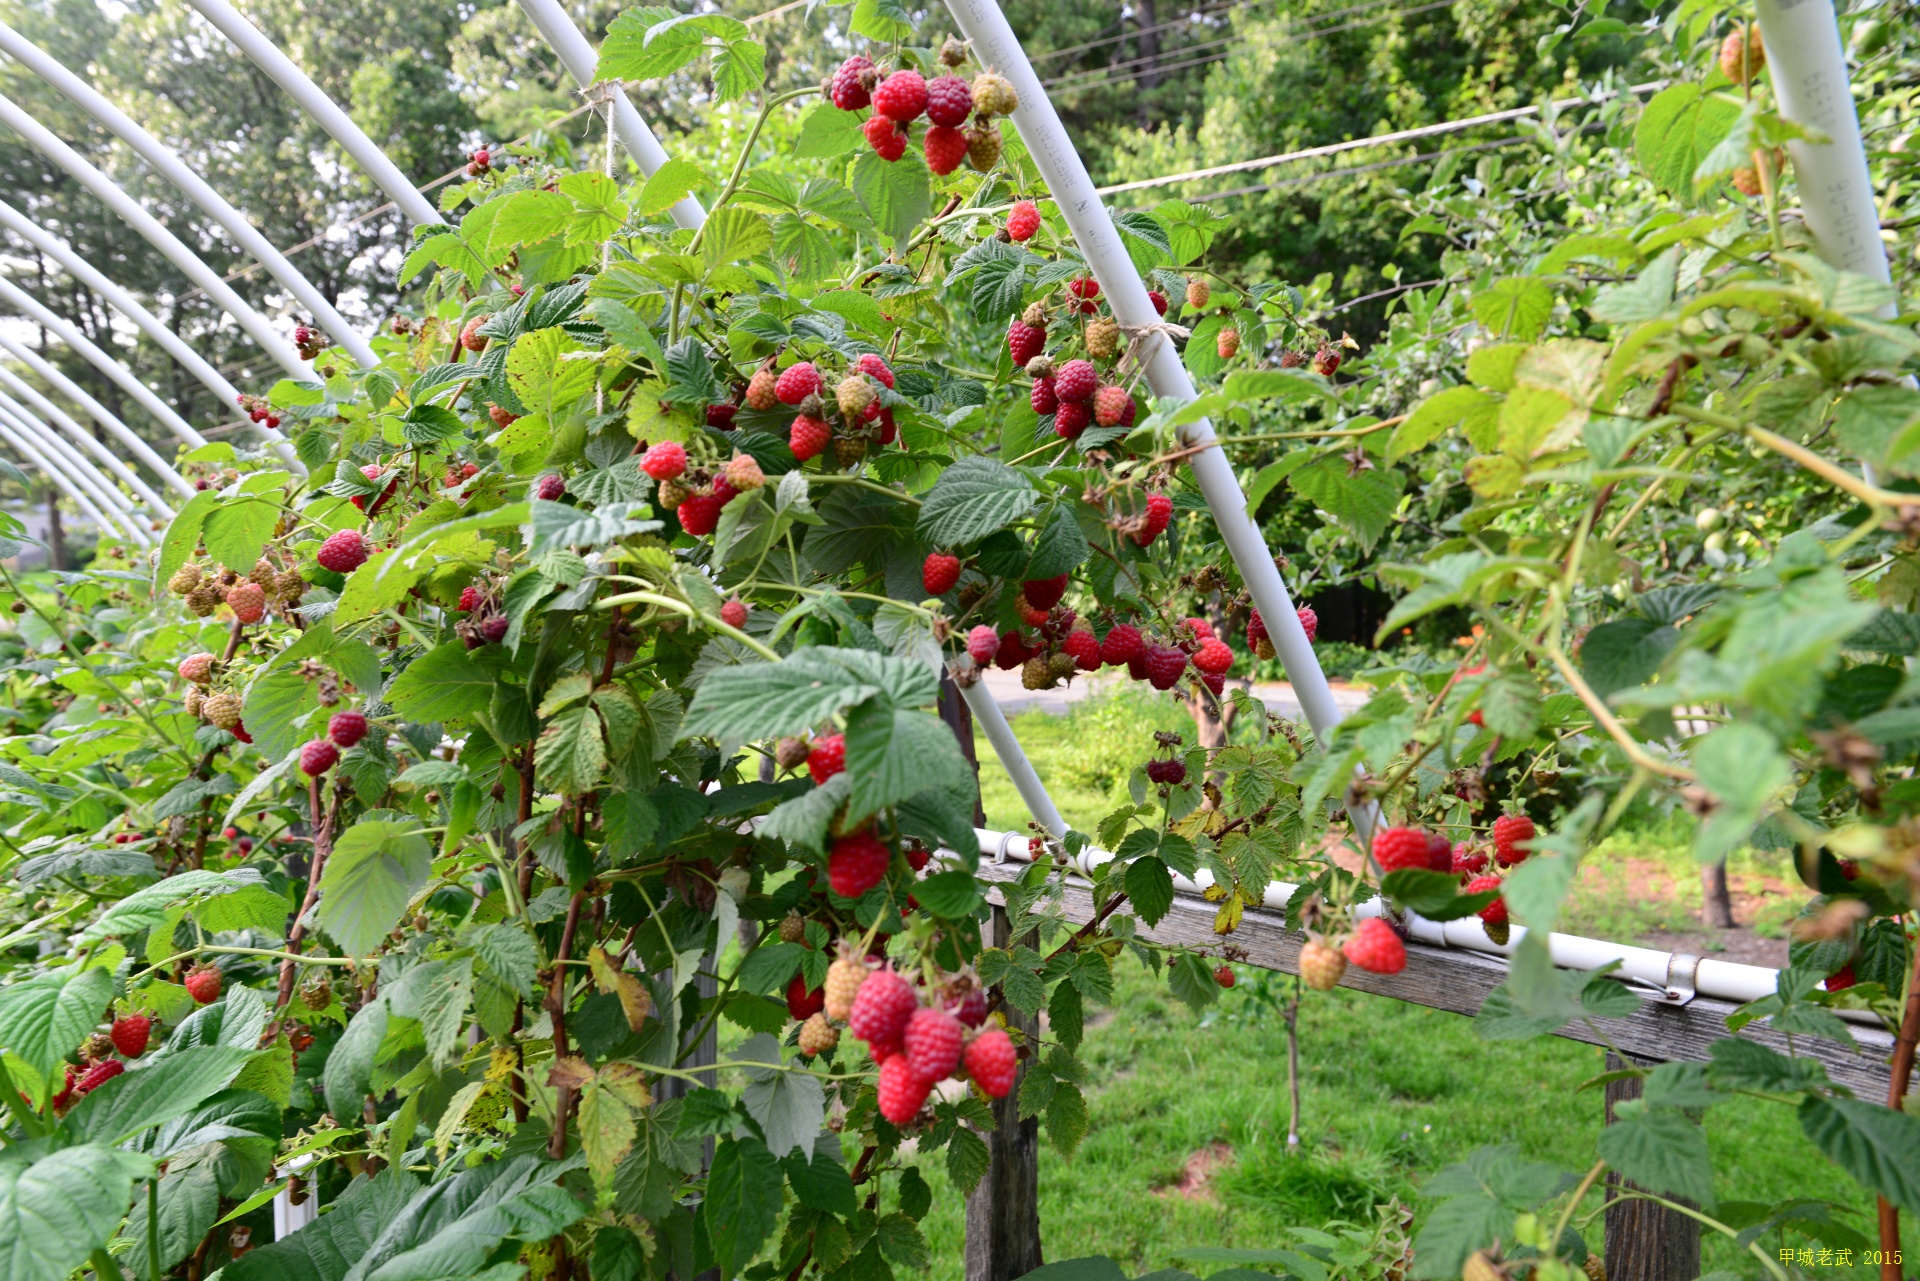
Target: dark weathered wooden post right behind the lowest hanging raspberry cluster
<point>1003,1217</point>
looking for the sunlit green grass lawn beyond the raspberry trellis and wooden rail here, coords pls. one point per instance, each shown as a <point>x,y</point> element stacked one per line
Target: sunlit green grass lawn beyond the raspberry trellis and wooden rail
<point>1188,1142</point>
